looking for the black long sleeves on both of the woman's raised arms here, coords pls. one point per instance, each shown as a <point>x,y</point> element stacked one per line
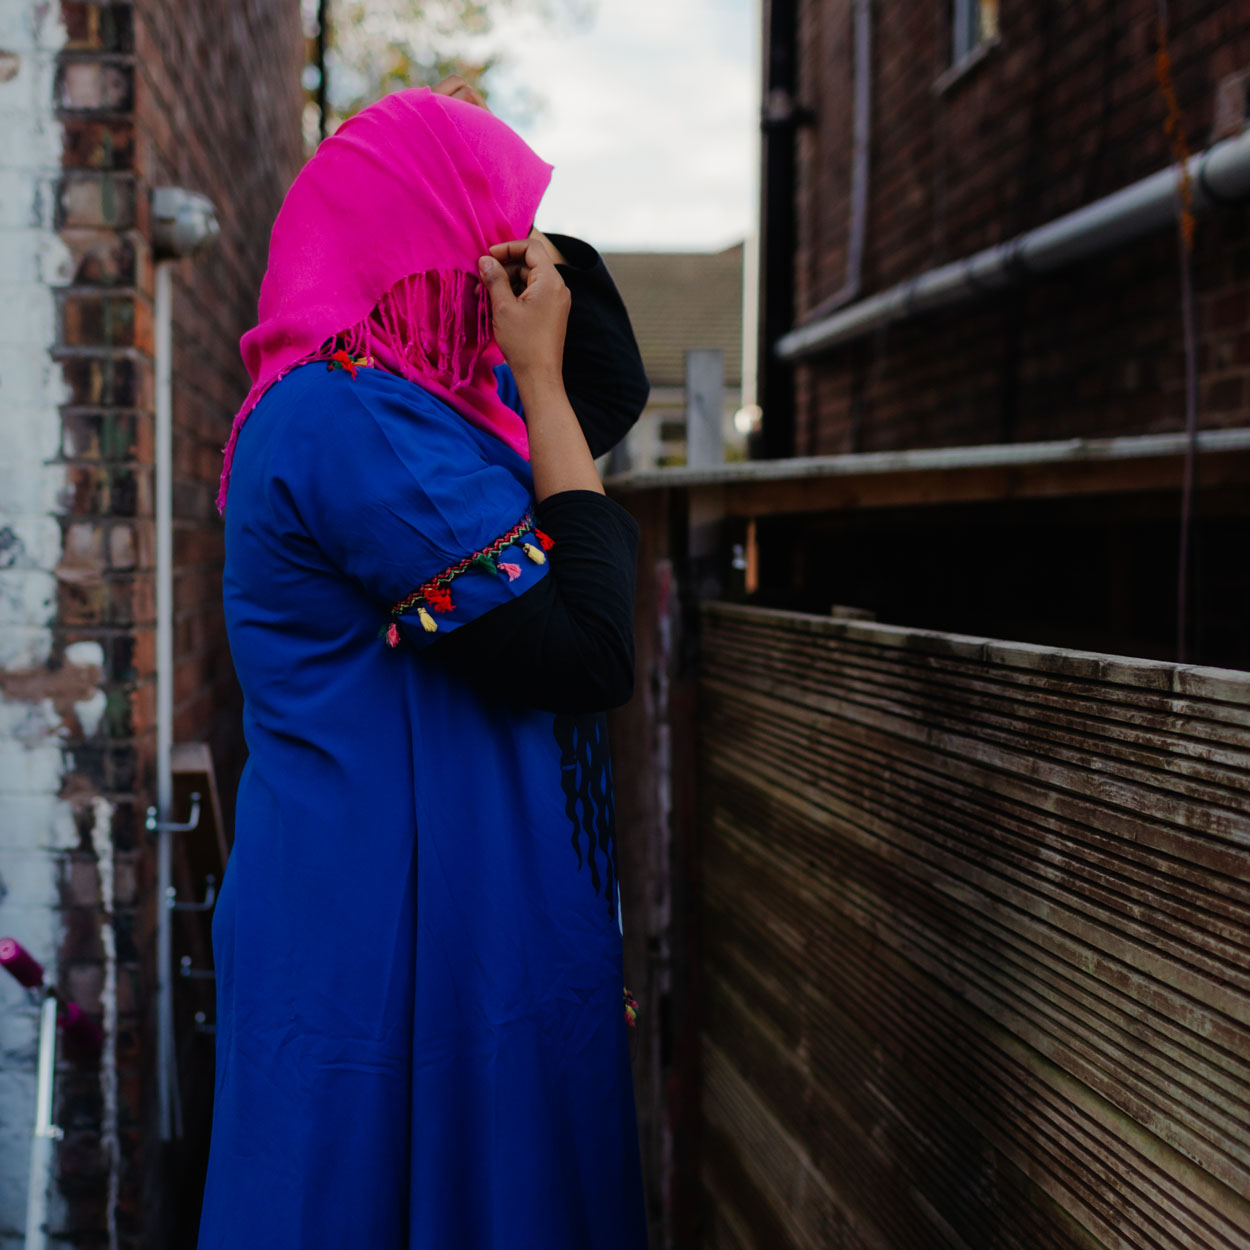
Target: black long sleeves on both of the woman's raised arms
<point>577,626</point>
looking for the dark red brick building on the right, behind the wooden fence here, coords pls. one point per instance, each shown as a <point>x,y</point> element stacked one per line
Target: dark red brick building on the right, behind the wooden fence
<point>981,123</point>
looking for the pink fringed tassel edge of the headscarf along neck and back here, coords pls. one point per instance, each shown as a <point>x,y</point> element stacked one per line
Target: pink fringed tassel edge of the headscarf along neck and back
<point>454,301</point>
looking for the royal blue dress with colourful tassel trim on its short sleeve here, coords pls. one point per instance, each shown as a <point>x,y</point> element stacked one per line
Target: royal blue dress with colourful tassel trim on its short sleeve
<point>422,1043</point>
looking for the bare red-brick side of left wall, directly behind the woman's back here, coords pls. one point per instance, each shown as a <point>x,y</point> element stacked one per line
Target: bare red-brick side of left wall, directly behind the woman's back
<point>218,106</point>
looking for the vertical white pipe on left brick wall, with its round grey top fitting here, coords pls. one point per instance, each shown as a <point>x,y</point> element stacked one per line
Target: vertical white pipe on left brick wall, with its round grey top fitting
<point>183,224</point>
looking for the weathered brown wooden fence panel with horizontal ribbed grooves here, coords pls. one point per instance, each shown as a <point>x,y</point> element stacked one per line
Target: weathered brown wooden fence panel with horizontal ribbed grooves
<point>976,951</point>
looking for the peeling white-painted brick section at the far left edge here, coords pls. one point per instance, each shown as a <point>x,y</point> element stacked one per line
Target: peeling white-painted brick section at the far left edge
<point>34,822</point>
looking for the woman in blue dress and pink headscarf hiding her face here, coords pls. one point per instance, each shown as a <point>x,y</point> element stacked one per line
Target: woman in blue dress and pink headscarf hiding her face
<point>421,1036</point>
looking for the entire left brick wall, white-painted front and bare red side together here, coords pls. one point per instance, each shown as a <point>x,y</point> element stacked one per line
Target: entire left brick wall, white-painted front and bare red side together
<point>122,98</point>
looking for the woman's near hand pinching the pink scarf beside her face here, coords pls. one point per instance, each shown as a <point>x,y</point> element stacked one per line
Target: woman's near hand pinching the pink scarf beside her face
<point>529,307</point>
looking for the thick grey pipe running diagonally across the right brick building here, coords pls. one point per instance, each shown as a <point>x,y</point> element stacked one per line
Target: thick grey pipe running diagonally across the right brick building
<point>1221,174</point>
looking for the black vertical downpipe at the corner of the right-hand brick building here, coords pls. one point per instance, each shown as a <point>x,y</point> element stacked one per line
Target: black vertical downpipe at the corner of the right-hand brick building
<point>778,236</point>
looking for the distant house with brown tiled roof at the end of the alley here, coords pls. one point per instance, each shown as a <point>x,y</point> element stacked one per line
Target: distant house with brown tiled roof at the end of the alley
<point>679,302</point>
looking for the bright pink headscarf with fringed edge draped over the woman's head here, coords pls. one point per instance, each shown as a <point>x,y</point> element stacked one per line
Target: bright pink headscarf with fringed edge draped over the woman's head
<point>377,246</point>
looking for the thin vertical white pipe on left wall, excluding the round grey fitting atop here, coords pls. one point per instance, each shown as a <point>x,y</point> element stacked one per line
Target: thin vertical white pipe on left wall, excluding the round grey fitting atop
<point>166,1056</point>
